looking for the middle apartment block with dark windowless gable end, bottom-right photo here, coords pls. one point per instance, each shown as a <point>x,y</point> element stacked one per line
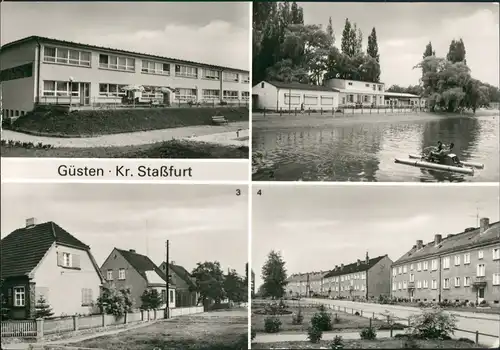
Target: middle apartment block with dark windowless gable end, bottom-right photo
<point>363,279</point>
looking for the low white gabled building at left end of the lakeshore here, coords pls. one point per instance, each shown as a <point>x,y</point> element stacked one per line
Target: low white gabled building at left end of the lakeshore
<point>272,97</point>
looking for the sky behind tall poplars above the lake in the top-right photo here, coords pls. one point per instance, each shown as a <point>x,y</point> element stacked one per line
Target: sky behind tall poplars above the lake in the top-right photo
<point>404,29</point>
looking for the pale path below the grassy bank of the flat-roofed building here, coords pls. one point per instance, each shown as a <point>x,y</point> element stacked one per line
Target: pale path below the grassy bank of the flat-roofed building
<point>128,139</point>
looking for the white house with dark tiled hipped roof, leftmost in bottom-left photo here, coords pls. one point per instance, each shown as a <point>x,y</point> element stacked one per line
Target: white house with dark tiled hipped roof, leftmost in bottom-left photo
<point>44,260</point>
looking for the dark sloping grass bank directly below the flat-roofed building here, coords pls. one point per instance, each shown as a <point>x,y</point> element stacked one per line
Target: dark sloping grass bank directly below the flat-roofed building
<point>51,122</point>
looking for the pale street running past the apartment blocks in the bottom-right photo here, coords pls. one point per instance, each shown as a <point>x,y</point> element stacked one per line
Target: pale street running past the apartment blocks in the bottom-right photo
<point>468,321</point>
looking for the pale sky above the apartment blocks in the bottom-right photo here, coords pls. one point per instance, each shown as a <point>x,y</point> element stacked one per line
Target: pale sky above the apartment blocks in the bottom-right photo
<point>318,227</point>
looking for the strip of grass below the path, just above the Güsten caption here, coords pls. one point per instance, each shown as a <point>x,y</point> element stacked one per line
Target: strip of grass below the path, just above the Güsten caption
<point>167,149</point>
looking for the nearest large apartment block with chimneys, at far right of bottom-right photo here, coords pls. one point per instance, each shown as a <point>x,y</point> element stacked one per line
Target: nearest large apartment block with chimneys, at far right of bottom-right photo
<point>460,267</point>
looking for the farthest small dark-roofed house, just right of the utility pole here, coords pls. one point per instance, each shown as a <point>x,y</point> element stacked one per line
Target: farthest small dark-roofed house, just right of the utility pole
<point>184,284</point>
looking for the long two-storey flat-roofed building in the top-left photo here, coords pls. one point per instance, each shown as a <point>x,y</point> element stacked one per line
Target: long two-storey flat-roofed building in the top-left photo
<point>37,70</point>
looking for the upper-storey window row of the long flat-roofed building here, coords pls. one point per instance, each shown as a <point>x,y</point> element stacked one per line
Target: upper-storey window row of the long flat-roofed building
<point>127,64</point>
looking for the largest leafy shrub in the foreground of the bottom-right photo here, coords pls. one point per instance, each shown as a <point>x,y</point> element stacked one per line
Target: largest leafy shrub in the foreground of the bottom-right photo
<point>432,324</point>
